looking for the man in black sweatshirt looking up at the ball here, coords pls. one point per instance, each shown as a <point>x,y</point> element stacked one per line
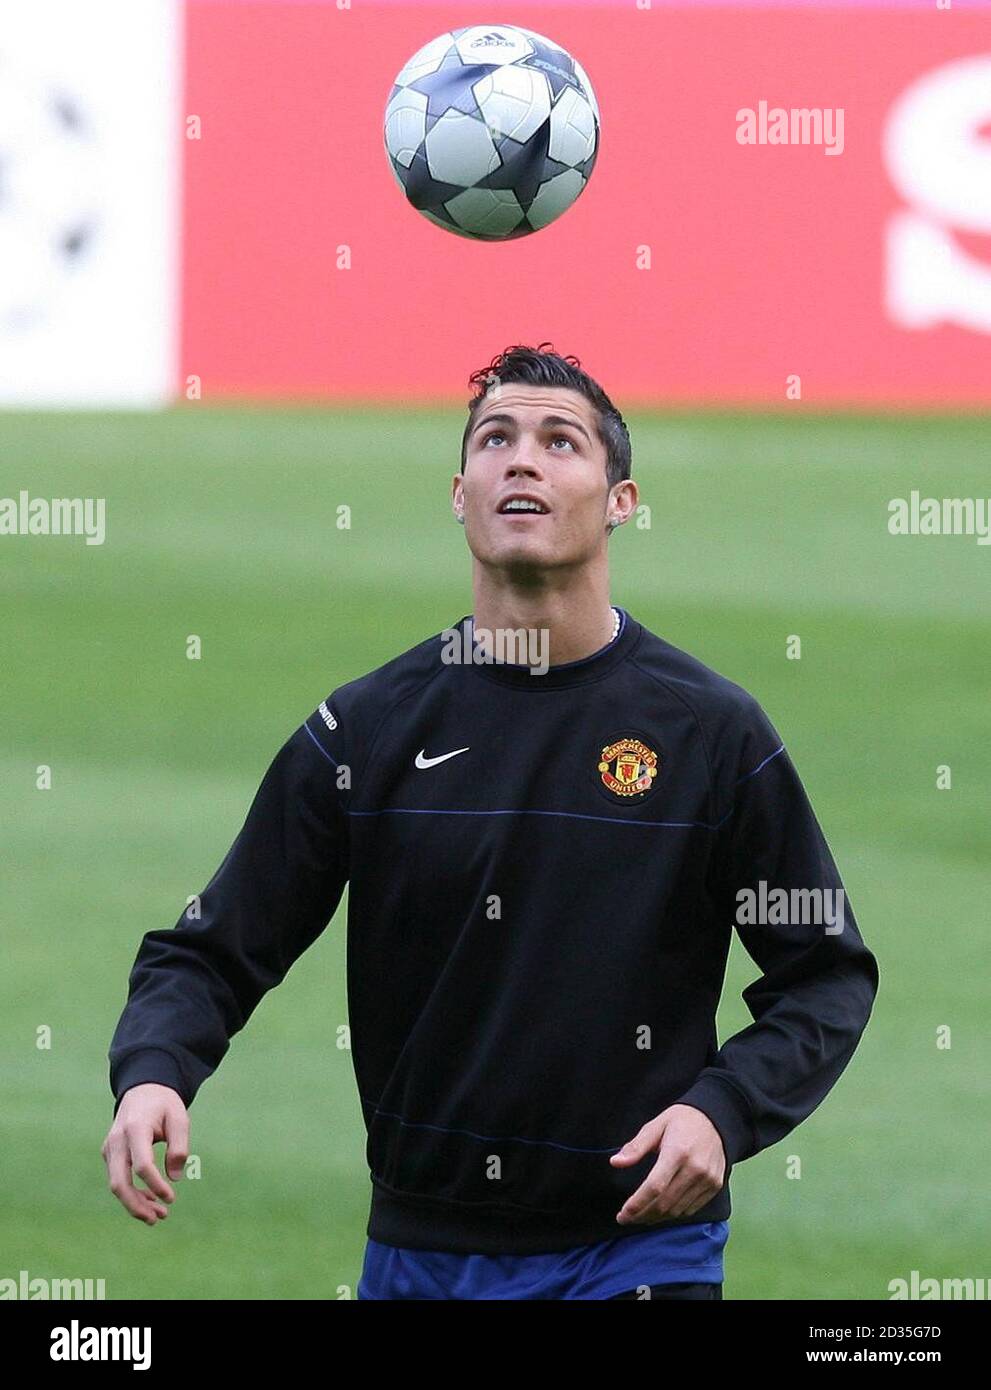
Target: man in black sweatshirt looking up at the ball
<point>547,860</point>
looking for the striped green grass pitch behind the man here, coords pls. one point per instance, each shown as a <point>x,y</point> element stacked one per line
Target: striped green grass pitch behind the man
<point>223,523</point>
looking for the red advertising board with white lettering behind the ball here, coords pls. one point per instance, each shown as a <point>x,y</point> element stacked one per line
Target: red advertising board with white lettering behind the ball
<point>697,268</point>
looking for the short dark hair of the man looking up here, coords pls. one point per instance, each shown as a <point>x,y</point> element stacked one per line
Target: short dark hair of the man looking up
<point>536,368</point>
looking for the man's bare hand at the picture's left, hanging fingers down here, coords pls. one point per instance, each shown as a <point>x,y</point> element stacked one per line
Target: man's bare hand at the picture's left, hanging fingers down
<point>148,1114</point>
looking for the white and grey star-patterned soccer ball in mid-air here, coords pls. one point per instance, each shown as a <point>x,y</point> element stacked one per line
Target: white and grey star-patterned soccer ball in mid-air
<point>493,131</point>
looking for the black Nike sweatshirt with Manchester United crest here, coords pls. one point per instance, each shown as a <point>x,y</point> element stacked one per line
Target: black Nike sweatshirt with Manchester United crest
<point>544,876</point>
